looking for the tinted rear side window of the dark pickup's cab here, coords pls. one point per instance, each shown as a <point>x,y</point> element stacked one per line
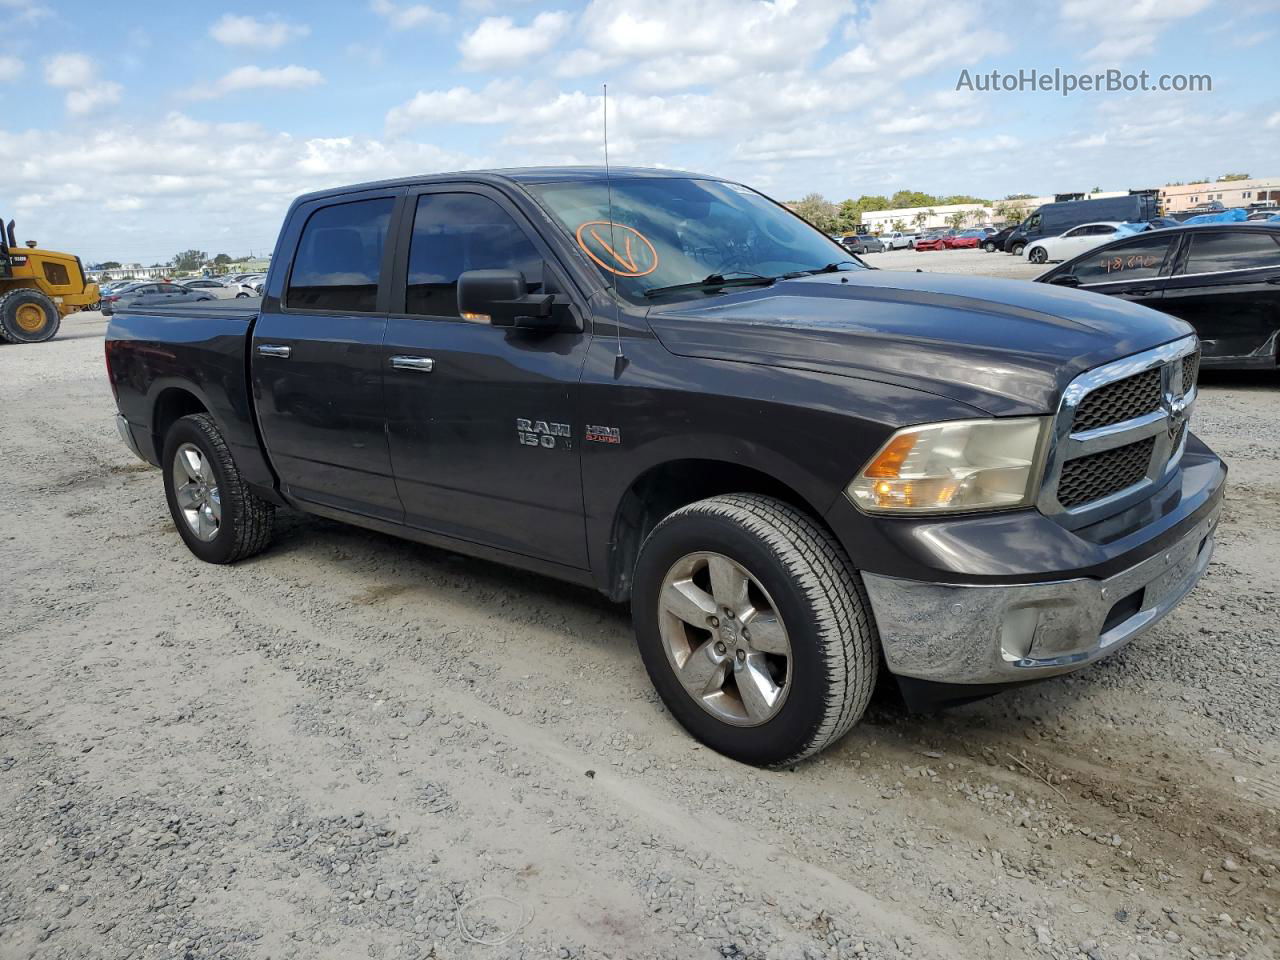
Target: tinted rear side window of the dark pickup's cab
<point>340,258</point>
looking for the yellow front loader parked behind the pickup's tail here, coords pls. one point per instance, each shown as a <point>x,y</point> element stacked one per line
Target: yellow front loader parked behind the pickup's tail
<point>39,289</point>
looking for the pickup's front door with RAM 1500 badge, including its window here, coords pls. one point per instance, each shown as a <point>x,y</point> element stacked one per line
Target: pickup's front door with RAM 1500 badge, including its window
<point>483,422</point>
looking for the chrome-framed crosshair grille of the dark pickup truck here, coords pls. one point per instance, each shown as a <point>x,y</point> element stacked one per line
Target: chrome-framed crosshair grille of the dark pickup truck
<point>1118,433</point>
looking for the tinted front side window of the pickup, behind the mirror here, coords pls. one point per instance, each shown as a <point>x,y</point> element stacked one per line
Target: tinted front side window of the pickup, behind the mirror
<point>460,232</point>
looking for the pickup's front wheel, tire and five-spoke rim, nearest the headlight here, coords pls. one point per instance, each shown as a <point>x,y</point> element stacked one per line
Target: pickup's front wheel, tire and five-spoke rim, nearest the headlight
<point>798,573</point>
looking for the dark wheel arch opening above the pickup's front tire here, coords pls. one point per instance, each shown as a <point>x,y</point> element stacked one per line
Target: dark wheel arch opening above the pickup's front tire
<point>665,488</point>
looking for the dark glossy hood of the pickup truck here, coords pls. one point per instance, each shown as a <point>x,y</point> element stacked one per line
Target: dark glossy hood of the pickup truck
<point>1007,348</point>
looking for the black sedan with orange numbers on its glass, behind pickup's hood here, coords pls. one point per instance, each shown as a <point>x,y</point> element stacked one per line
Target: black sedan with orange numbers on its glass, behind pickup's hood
<point>1222,278</point>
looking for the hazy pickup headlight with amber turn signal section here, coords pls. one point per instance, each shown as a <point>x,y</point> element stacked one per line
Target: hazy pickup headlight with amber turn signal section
<point>957,467</point>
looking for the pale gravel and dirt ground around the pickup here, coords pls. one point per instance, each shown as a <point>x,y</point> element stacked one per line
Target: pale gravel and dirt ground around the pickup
<point>354,747</point>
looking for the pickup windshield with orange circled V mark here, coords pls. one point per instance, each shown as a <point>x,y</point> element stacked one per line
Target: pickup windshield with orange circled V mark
<point>669,232</point>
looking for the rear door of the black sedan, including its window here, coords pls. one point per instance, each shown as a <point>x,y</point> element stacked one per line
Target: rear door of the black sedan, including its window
<point>1227,285</point>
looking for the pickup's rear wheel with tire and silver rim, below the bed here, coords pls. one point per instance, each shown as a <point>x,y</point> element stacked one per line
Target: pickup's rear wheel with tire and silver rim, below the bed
<point>246,523</point>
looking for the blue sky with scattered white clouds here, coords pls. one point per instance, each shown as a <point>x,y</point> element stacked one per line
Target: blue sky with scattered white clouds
<point>163,127</point>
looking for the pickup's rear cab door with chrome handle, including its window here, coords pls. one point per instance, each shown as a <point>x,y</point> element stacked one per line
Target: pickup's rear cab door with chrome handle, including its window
<point>317,356</point>
